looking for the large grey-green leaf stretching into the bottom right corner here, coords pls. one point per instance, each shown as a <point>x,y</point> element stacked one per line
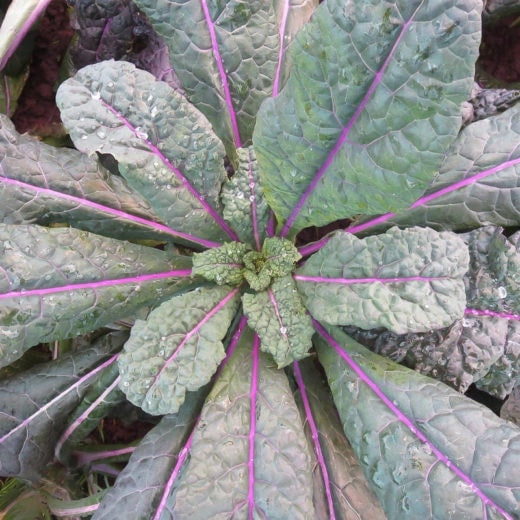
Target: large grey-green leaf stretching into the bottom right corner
<point>429,451</point>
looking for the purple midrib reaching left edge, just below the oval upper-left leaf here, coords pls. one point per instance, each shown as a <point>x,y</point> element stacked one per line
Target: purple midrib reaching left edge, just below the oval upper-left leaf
<point>118,213</point>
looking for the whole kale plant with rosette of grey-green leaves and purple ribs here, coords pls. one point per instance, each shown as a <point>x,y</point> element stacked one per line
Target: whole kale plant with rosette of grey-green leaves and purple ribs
<point>351,113</point>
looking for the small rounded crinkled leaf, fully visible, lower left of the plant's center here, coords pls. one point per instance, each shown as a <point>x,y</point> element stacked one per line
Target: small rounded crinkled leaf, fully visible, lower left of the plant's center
<point>177,348</point>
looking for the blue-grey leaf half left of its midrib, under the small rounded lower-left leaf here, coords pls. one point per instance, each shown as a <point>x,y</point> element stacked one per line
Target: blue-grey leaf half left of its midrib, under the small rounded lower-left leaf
<point>139,487</point>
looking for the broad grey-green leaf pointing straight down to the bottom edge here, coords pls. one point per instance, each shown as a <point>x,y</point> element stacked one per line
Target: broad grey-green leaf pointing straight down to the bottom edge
<point>251,432</point>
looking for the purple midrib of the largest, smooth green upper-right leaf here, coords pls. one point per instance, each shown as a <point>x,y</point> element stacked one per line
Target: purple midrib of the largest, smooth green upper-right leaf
<point>346,130</point>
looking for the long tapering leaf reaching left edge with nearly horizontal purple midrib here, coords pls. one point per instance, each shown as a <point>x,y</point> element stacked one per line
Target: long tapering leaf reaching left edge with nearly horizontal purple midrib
<point>61,282</point>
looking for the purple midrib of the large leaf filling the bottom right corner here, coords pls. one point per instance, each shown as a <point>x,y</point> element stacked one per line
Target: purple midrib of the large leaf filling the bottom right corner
<point>406,421</point>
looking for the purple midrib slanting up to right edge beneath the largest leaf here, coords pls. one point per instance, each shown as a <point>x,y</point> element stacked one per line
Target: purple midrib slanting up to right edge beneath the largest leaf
<point>315,246</point>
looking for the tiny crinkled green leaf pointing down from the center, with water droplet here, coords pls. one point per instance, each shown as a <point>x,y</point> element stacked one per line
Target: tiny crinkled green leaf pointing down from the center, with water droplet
<point>280,319</point>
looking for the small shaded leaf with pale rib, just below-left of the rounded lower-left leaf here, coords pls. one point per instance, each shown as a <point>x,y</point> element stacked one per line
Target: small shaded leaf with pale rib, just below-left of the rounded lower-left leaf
<point>103,395</point>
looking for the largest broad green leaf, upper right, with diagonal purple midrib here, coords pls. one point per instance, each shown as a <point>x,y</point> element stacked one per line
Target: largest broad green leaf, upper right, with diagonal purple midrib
<point>372,102</point>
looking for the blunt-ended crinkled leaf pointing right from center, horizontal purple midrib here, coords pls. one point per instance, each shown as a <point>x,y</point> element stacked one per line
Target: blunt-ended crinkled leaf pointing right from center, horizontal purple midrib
<point>405,280</point>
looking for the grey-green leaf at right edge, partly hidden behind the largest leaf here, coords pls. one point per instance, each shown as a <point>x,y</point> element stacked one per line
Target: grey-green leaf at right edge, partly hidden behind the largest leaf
<point>477,182</point>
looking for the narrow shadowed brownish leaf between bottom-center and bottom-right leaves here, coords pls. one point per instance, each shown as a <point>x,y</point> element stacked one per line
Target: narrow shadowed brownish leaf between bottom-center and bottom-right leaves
<point>339,483</point>
